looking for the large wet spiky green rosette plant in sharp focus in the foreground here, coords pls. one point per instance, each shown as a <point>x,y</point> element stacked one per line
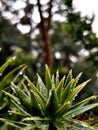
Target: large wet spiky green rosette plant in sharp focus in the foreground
<point>49,105</point>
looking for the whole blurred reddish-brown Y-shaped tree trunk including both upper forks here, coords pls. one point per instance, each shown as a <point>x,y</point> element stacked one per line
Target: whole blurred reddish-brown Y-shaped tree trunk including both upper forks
<point>44,27</point>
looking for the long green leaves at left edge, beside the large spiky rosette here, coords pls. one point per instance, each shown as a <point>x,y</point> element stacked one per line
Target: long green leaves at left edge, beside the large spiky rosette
<point>6,78</point>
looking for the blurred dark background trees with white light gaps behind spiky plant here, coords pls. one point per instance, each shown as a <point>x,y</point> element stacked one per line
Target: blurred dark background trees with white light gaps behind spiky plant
<point>56,35</point>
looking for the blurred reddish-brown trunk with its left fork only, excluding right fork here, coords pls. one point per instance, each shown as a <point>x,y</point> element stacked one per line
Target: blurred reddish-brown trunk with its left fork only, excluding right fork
<point>46,39</point>
